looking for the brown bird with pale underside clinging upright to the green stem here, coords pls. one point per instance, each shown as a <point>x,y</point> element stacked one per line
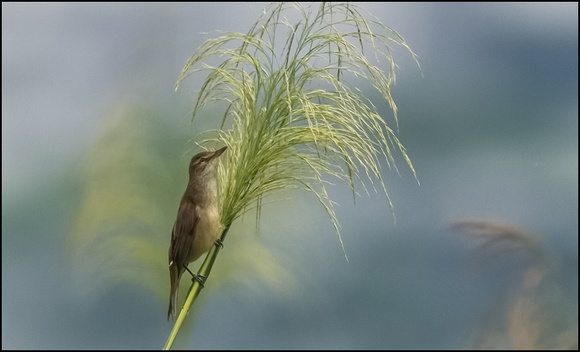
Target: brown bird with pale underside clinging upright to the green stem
<point>198,220</point>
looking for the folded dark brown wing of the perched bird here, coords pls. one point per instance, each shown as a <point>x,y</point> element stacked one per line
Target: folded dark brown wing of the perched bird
<point>183,234</point>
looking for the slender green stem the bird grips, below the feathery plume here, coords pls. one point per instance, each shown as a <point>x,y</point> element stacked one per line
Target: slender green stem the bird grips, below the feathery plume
<point>195,288</point>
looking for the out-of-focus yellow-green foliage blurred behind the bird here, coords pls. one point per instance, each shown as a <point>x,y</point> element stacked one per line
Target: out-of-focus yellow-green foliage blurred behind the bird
<point>132,183</point>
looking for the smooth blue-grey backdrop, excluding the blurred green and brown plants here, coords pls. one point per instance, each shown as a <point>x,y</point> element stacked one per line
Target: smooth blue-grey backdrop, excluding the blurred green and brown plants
<point>490,123</point>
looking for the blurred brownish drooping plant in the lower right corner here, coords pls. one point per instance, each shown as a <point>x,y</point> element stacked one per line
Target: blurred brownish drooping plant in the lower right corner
<point>529,312</point>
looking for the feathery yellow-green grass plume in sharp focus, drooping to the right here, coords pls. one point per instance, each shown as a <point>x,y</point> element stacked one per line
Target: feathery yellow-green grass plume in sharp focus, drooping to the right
<point>289,117</point>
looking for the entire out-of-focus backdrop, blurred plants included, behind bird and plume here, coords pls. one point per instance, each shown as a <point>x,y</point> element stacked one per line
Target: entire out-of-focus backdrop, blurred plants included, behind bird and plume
<point>95,147</point>
